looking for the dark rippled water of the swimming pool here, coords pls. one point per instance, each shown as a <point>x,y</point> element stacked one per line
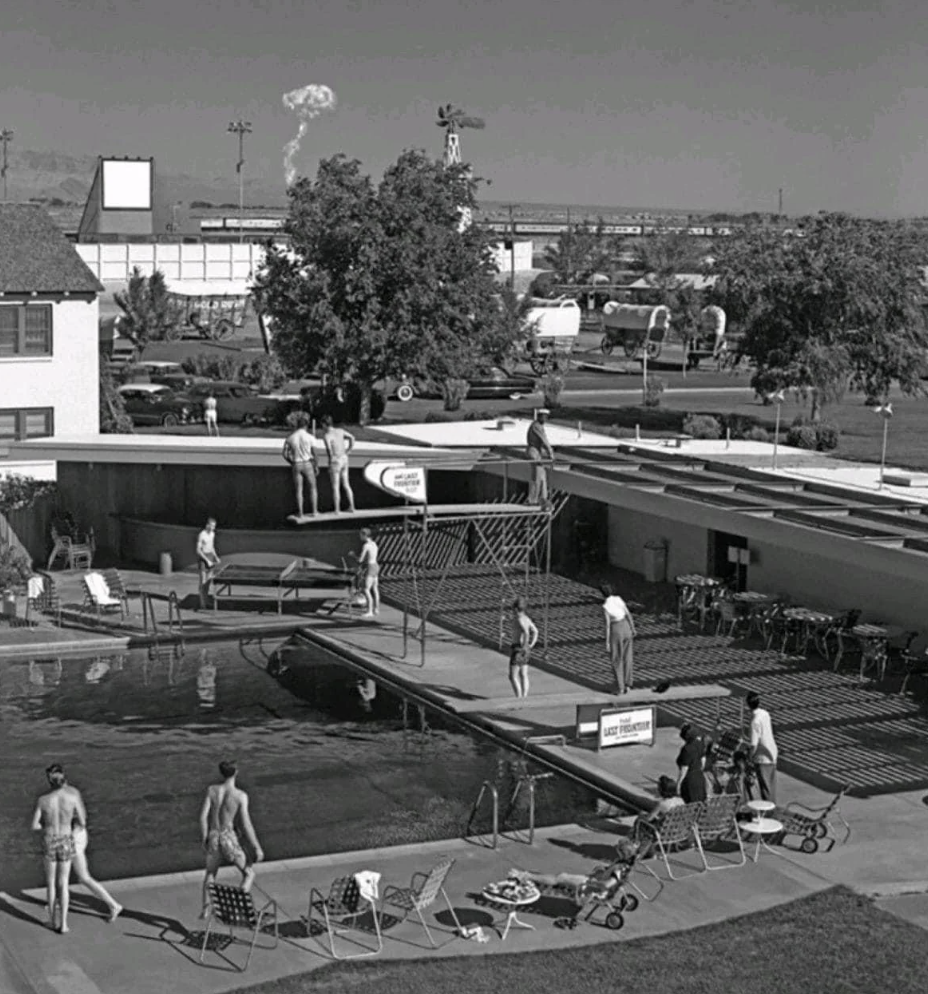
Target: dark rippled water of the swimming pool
<point>326,769</point>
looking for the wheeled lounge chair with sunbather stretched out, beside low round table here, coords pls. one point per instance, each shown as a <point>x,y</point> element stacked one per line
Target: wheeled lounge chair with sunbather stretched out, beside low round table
<point>603,892</point>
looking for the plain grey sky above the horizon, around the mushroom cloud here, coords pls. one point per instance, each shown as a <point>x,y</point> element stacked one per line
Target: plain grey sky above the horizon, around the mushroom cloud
<point>703,104</point>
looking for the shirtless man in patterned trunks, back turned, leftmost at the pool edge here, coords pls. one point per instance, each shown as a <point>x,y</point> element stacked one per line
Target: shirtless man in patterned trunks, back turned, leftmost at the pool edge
<point>55,814</point>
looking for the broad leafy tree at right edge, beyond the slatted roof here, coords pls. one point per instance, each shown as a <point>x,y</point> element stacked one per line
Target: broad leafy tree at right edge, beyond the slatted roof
<point>836,307</point>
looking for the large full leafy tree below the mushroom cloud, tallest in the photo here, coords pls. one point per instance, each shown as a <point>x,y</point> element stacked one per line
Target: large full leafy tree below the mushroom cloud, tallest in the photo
<point>383,281</point>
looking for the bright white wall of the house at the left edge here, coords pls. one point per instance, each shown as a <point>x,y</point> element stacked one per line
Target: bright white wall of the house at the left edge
<point>68,380</point>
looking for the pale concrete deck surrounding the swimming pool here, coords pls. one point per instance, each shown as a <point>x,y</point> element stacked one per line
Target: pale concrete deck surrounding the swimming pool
<point>153,946</point>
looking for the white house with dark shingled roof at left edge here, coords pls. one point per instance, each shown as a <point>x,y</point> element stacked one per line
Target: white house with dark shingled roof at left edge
<point>49,316</point>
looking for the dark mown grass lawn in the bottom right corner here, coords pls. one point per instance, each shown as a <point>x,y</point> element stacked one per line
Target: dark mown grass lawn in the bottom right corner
<point>833,941</point>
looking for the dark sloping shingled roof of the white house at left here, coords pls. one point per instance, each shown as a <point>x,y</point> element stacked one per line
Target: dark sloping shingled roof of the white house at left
<point>35,256</point>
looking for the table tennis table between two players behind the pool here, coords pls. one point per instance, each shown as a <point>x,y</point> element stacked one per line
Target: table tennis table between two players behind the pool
<point>306,577</point>
